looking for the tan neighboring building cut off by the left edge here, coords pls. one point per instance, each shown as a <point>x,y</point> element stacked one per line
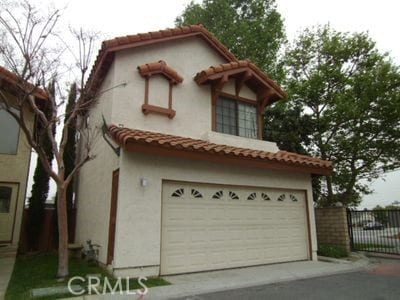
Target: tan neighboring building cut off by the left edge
<point>15,154</point>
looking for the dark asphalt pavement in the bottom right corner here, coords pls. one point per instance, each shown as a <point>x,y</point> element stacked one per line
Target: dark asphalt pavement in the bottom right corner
<point>379,282</point>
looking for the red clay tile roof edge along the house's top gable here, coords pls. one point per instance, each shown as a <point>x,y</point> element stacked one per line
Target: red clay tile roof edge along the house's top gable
<point>109,47</point>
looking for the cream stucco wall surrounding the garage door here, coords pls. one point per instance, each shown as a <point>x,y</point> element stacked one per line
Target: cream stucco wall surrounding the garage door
<point>137,248</point>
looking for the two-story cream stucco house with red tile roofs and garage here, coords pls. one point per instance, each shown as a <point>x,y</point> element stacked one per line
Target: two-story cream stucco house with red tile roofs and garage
<point>193,186</point>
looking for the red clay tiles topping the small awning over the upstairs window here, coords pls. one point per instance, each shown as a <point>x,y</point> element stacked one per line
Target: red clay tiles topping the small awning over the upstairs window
<point>204,75</point>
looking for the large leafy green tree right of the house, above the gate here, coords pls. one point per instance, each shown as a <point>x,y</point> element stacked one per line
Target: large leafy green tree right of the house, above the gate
<point>349,94</point>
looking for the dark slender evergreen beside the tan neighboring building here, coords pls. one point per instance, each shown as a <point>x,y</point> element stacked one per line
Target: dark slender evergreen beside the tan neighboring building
<point>40,187</point>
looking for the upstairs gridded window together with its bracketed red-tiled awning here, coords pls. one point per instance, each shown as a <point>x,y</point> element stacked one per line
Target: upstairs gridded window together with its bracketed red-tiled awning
<point>231,113</point>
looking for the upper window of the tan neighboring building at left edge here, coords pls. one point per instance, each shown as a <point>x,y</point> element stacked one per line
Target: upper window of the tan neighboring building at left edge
<point>9,133</point>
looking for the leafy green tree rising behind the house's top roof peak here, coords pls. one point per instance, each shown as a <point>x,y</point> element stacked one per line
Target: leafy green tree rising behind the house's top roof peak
<point>251,29</point>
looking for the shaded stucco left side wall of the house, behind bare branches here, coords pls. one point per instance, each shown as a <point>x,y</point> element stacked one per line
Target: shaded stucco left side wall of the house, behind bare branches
<point>95,178</point>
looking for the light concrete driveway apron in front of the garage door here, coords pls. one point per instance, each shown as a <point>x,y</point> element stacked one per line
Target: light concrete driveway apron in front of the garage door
<point>188,285</point>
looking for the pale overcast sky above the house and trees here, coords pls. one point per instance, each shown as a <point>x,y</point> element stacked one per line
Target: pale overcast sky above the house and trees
<point>380,18</point>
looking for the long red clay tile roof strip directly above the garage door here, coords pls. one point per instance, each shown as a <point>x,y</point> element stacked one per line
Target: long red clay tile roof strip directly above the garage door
<point>171,145</point>
